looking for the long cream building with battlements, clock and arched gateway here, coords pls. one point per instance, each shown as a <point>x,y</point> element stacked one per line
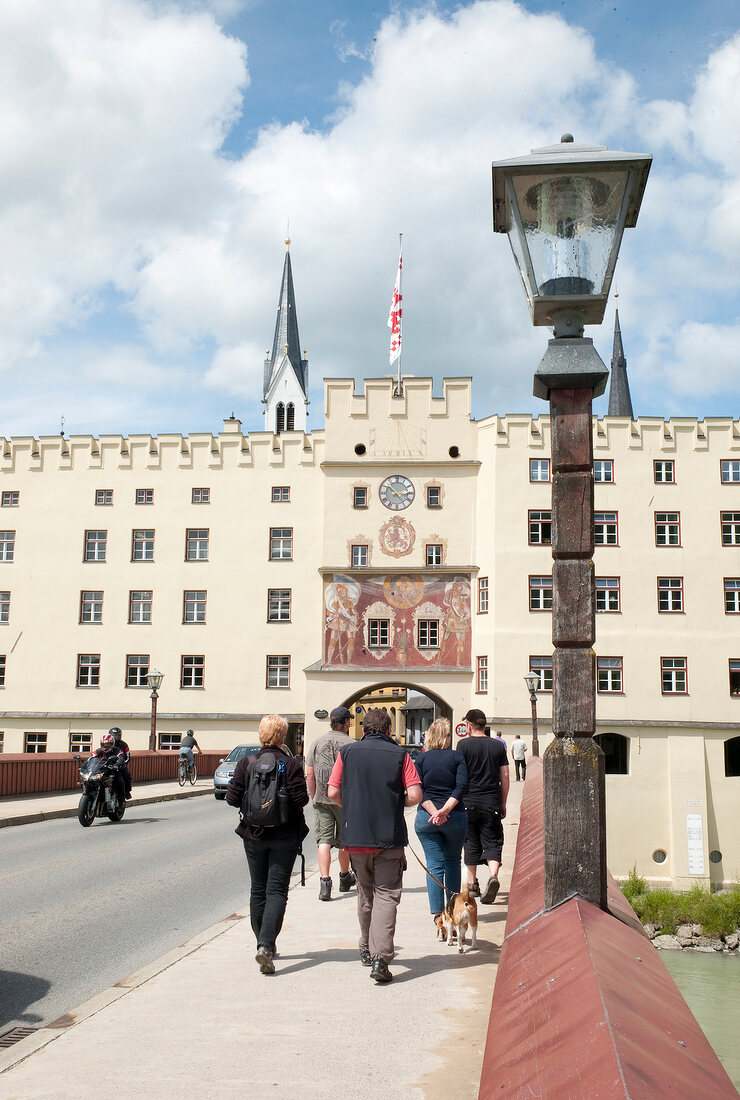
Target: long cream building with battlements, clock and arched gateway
<point>403,546</point>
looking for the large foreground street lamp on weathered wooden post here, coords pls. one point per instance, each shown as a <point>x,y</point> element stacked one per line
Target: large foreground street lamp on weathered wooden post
<point>565,210</point>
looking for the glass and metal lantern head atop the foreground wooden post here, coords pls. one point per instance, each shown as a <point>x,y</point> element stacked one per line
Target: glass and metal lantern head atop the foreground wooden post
<point>565,210</point>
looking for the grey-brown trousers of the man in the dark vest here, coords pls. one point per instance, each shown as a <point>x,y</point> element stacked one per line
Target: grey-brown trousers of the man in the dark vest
<point>380,882</point>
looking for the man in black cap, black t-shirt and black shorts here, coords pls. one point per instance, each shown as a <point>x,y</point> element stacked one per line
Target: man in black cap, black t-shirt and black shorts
<point>485,802</point>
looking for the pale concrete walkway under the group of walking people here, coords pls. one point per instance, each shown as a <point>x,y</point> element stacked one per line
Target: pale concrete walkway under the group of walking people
<point>205,1022</point>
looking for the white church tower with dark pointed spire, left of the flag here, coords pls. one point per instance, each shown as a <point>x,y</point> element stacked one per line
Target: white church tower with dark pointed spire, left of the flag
<point>285,391</point>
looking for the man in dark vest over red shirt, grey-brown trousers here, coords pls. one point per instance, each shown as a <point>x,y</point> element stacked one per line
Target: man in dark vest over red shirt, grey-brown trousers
<point>374,780</point>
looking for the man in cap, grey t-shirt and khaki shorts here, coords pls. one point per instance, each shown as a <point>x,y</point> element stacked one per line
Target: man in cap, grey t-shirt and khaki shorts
<point>327,815</point>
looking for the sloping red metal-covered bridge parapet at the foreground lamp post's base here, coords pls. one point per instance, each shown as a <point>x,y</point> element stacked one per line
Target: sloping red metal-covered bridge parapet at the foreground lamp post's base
<point>584,1007</point>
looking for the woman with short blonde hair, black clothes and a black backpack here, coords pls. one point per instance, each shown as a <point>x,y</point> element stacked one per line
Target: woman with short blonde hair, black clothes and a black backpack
<point>271,793</point>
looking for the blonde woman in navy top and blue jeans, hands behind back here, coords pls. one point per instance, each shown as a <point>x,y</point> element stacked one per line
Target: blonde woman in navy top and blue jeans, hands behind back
<point>441,820</point>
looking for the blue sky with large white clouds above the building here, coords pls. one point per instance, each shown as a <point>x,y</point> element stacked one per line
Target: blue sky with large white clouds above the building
<point>153,156</point>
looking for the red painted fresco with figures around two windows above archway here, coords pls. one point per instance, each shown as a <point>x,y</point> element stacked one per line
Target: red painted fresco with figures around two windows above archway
<point>405,621</point>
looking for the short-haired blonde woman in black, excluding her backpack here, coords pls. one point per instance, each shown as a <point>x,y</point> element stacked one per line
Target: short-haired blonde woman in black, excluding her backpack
<point>271,853</point>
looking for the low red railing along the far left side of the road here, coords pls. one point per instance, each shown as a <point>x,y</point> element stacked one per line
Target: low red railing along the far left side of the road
<point>30,774</point>
